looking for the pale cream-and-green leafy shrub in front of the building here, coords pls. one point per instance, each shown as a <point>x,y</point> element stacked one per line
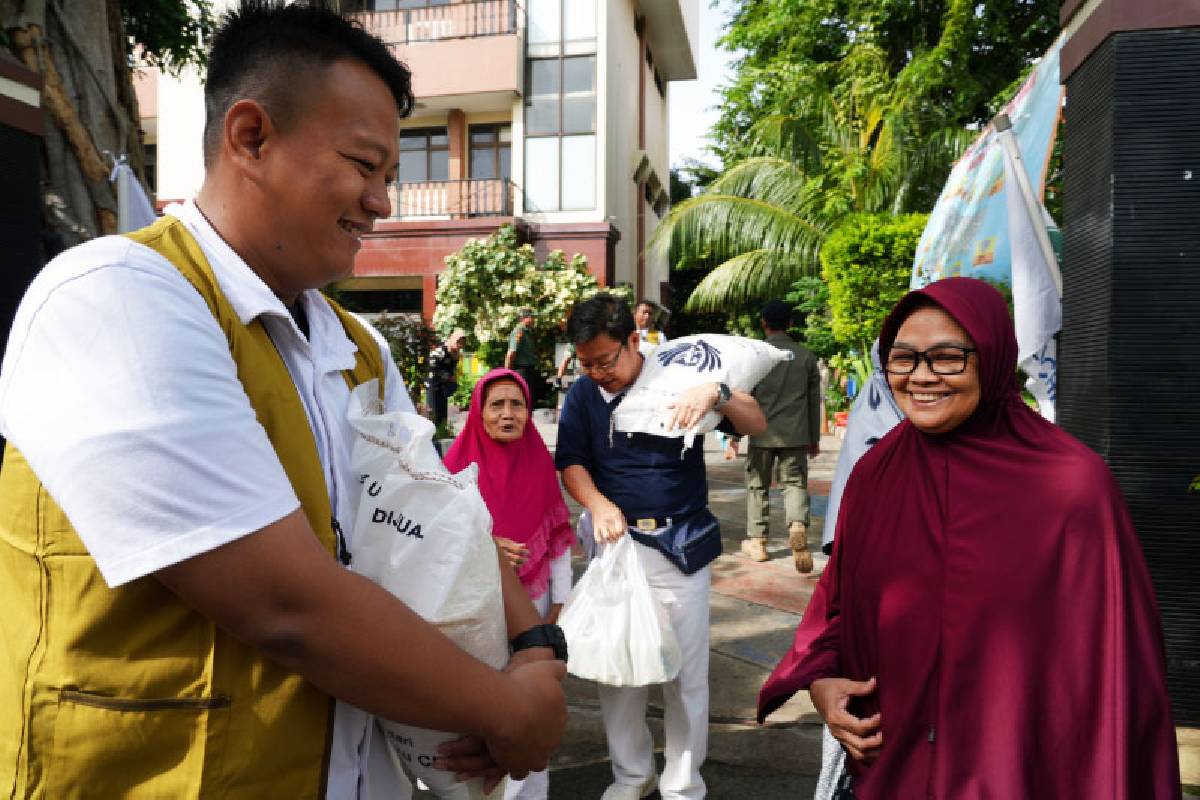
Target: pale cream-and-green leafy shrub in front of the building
<point>490,281</point>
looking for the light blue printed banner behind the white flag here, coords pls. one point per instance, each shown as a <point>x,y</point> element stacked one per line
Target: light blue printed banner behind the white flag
<point>968,232</point>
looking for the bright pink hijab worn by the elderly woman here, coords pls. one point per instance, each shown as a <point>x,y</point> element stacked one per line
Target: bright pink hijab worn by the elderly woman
<point>519,485</point>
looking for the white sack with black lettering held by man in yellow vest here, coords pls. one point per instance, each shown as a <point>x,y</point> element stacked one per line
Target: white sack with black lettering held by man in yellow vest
<point>425,536</point>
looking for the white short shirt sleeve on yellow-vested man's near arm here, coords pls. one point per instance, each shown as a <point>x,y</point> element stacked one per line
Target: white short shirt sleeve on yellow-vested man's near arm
<point>119,389</point>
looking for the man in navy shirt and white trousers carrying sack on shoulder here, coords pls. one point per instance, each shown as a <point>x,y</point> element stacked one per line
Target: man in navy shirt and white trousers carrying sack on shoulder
<point>639,484</point>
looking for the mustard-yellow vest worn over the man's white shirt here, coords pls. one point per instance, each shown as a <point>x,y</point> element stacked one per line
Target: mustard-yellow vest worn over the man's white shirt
<point>128,693</point>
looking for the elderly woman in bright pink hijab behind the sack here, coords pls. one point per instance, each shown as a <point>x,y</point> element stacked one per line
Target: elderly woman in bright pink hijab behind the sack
<point>531,522</point>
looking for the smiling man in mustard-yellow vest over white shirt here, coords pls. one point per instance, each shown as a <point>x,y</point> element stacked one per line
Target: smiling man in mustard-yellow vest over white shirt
<point>176,495</point>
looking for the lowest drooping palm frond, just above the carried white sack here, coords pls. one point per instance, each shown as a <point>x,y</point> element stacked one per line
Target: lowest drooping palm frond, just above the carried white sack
<point>754,276</point>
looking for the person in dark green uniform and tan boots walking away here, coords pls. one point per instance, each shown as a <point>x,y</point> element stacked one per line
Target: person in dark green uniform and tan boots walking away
<point>790,398</point>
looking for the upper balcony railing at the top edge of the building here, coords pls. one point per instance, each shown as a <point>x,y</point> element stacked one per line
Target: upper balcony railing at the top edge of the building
<point>434,23</point>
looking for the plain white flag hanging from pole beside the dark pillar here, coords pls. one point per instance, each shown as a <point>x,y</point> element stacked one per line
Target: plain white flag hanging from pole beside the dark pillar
<point>1037,308</point>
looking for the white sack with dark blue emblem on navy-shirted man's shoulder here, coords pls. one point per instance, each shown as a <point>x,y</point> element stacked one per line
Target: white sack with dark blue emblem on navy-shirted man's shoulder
<point>680,365</point>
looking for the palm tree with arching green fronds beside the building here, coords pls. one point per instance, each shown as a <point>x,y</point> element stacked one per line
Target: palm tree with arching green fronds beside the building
<point>764,220</point>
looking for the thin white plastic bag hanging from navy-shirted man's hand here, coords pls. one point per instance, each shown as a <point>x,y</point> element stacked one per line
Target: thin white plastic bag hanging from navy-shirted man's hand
<point>617,633</point>
